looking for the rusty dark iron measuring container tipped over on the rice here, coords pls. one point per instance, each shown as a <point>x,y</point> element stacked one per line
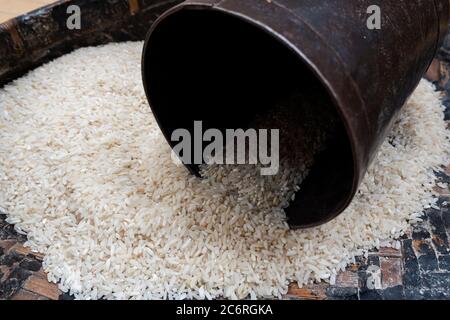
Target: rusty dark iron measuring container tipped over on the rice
<point>221,61</point>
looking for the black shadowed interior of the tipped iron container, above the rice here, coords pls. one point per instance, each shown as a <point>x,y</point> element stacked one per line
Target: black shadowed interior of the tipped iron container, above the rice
<point>210,66</point>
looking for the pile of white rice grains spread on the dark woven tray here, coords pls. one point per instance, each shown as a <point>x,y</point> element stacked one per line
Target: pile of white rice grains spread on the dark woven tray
<point>87,175</point>
